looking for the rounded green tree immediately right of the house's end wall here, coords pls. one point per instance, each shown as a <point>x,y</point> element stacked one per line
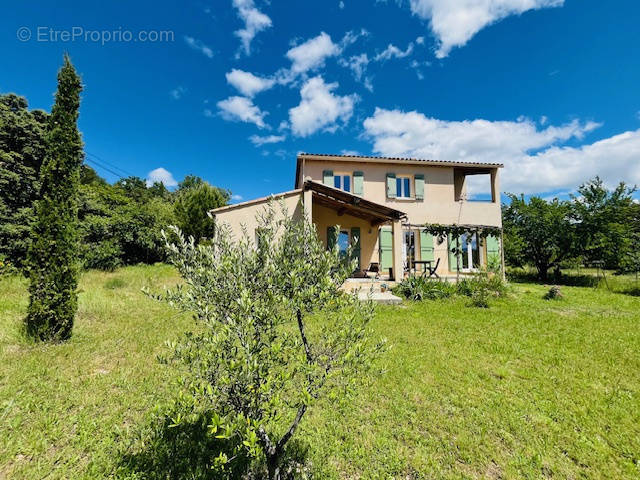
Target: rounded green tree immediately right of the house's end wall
<point>543,232</point>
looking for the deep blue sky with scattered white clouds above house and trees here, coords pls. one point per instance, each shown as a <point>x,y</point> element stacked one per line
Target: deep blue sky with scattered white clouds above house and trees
<point>551,88</point>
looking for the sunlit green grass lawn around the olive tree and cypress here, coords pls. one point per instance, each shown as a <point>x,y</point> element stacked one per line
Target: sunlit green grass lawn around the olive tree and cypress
<point>529,388</point>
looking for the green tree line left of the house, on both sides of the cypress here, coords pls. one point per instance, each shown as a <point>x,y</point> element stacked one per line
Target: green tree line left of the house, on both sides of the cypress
<point>119,224</point>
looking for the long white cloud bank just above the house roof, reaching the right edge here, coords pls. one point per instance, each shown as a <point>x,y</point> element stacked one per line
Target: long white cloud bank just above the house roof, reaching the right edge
<point>536,158</point>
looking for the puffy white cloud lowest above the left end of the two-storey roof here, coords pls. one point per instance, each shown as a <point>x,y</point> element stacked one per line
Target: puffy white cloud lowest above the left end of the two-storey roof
<point>319,108</point>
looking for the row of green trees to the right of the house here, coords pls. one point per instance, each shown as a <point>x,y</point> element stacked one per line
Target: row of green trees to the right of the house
<point>594,227</point>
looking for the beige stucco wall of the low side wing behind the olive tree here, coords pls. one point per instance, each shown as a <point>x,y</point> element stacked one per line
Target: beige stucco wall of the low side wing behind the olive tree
<point>246,213</point>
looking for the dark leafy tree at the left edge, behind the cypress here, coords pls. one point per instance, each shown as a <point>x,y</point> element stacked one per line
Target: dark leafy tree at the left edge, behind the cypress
<point>22,150</point>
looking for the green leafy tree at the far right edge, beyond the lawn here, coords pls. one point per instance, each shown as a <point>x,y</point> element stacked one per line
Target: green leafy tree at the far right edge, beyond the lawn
<point>603,221</point>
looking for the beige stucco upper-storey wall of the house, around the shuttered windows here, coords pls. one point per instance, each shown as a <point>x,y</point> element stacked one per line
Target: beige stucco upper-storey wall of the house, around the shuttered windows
<point>439,205</point>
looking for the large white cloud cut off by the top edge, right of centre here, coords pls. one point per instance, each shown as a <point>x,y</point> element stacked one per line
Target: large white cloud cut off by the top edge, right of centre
<point>455,22</point>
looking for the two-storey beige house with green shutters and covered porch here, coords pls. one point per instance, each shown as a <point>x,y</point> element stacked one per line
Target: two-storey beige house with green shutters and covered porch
<point>383,207</point>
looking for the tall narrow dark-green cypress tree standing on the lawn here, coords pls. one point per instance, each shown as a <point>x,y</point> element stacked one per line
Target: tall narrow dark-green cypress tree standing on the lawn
<point>53,255</point>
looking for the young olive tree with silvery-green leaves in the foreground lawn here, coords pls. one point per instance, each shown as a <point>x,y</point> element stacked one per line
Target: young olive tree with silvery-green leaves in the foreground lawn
<point>275,333</point>
